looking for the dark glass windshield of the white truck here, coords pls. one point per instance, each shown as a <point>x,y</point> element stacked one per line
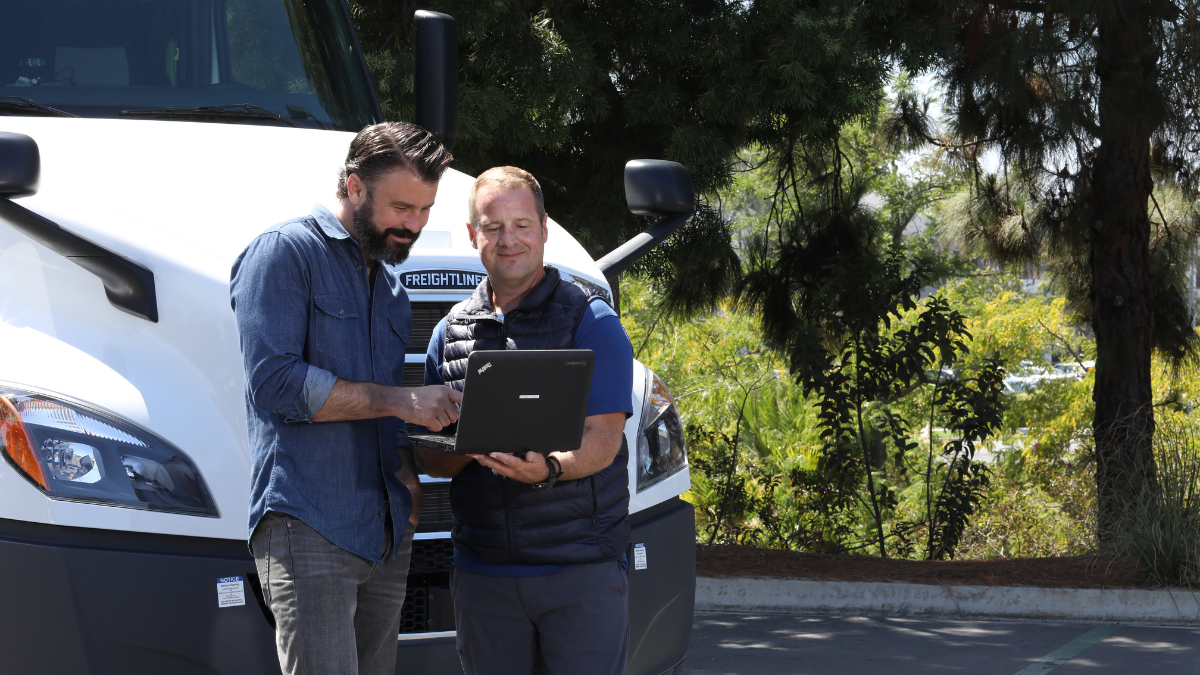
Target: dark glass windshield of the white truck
<point>248,62</point>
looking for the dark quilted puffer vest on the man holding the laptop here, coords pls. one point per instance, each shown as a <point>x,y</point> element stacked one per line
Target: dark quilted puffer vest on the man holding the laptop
<point>505,522</point>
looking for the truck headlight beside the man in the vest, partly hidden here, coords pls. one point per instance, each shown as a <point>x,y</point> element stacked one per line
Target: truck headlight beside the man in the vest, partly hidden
<point>662,451</point>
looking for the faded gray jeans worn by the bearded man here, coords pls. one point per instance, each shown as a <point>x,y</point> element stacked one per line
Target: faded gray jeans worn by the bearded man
<point>335,613</point>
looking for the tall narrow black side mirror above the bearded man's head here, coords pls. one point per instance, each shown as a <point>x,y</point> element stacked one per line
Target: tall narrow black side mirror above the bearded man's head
<point>436,77</point>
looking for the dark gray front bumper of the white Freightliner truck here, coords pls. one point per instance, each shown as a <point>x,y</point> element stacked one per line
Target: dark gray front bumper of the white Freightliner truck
<point>99,602</point>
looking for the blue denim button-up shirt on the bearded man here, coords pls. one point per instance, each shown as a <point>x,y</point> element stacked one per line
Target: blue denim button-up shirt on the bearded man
<point>307,318</point>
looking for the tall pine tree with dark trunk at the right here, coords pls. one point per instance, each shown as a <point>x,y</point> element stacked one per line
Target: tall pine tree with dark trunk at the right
<point>1091,109</point>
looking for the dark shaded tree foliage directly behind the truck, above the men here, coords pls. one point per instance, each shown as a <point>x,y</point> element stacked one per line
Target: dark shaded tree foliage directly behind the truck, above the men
<point>572,91</point>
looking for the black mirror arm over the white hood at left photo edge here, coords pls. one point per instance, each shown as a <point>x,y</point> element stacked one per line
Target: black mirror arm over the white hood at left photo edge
<point>129,285</point>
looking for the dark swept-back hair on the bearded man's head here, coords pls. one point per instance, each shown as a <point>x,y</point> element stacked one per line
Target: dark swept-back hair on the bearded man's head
<point>382,148</point>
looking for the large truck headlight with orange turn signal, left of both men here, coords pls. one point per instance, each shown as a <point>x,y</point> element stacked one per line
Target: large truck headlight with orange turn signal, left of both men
<point>75,453</point>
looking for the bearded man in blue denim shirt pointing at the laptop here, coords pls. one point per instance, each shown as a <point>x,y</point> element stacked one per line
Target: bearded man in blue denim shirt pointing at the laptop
<point>334,498</point>
